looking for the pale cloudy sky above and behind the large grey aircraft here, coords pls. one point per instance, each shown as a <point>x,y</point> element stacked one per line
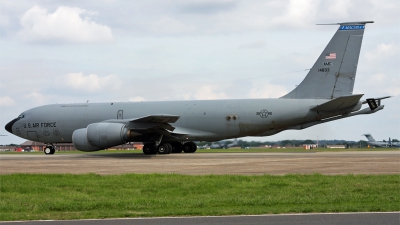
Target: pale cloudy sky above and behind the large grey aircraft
<point>110,50</point>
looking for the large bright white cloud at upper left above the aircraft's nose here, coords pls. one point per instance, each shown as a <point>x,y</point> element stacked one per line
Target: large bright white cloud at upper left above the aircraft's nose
<point>64,25</point>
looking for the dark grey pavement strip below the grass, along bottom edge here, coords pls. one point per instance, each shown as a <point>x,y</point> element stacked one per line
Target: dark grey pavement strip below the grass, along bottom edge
<point>295,219</point>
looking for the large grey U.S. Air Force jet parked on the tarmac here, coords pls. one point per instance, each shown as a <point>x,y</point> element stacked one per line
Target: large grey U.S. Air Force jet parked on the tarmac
<point>325,95</point>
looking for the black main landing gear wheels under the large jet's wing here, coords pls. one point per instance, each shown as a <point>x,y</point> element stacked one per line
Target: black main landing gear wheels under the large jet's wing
<point>169,147</point>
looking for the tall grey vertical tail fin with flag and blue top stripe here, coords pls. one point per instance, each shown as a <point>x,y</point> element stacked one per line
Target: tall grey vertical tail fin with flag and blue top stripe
<point>334,72</point>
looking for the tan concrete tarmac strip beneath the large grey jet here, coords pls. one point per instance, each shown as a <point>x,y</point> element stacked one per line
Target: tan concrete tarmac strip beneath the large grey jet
<point>349,162</point>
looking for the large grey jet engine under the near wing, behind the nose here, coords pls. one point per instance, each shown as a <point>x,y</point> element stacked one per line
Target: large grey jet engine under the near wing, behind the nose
<point>98,136</point>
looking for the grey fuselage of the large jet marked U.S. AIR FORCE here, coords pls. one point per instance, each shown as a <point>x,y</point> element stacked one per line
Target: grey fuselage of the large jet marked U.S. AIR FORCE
<point>204,120</point>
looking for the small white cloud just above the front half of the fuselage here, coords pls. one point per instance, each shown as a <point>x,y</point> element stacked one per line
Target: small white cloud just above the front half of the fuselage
<point>92,82</point>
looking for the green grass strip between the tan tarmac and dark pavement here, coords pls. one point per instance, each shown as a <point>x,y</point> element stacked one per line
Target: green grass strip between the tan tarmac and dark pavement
<point>67,196</point>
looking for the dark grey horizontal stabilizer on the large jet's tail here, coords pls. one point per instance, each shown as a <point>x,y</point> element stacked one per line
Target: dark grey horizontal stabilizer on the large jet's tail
<point>338,103</point>
